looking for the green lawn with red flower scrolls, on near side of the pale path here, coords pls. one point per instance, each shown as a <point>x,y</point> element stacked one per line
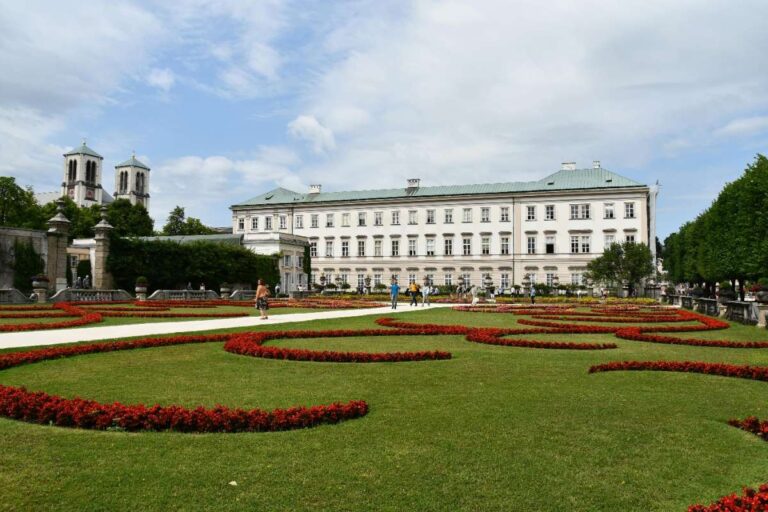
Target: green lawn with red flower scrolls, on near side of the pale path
<point>495,428</point>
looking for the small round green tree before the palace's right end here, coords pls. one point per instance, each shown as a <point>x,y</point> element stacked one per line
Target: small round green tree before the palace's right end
<point>627,263</point>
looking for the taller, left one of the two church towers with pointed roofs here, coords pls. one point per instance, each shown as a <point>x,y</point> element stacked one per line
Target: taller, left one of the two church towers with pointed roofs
<point>82,176</point>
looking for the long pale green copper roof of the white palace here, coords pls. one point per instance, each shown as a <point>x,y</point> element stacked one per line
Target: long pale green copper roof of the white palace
<point>578,179</point>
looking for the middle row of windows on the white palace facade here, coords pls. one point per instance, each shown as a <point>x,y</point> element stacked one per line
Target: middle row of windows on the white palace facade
<point>579,244</point>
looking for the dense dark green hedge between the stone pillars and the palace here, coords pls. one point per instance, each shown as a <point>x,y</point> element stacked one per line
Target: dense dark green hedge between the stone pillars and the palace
<point>170,265</point>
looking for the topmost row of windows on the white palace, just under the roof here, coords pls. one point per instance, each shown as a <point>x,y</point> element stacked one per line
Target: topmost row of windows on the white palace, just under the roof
<point>578,211</point>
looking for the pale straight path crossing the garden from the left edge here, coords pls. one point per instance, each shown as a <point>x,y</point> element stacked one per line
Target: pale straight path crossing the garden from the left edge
<point>57,336</point>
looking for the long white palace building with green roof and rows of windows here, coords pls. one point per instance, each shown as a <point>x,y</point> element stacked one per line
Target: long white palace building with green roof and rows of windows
<point>547,229</point>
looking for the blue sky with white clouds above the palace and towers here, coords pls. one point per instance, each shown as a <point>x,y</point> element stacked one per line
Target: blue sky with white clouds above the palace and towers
<point>228,99</point>
